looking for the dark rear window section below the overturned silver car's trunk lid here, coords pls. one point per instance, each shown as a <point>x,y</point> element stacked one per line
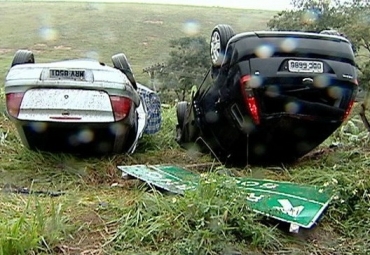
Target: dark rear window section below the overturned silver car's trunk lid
<point>79,138</point>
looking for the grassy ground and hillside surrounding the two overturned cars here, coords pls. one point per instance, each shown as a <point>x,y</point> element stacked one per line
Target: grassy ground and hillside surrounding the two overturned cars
<point>101,213</point>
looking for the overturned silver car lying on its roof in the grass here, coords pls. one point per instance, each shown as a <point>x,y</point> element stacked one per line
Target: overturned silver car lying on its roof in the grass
<point>80,105</point>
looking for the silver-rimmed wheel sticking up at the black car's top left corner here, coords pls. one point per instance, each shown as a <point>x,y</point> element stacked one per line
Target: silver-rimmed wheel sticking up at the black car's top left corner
<point>221,35</point>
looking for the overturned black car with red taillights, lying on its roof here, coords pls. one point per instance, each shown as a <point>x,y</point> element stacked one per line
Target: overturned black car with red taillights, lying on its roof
<point>269,97</point>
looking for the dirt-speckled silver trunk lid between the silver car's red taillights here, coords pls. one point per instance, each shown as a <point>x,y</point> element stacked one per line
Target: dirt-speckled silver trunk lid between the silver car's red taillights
<point>66,105</point>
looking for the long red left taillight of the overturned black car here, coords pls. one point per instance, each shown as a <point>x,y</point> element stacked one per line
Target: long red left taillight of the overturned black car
<point>249,98</point>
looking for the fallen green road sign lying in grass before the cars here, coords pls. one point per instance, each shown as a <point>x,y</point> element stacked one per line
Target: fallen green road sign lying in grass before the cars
<point>300,205</point>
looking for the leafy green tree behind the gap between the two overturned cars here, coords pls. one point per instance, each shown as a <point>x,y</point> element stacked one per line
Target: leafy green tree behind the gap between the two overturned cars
<point>187,64</point>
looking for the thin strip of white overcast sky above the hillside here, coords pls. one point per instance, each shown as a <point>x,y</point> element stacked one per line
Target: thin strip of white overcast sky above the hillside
<point>247,4</point>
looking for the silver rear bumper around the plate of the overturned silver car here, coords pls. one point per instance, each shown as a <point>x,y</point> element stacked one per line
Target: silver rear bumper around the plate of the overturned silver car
<point>20,78</point>
